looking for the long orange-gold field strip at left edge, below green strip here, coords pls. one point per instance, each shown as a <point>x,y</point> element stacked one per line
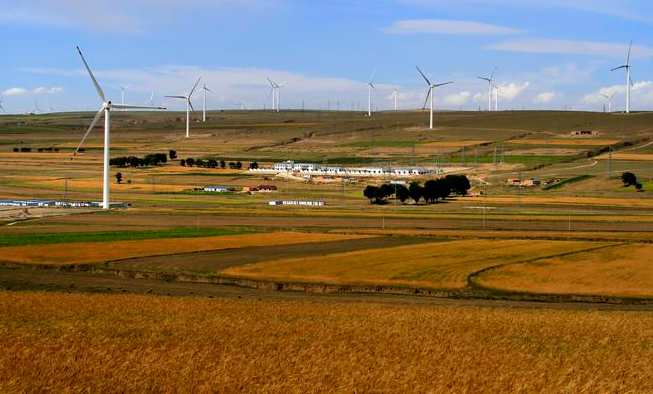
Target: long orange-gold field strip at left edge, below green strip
<point>93,252</point>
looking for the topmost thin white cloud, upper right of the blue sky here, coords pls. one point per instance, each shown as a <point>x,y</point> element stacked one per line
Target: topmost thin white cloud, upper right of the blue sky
<point>451,27</point>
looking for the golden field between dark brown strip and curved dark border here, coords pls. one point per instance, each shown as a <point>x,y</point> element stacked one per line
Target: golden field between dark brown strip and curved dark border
<point>439,265</point>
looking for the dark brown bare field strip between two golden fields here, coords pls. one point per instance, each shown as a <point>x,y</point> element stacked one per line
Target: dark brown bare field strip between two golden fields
<point>220,259</point>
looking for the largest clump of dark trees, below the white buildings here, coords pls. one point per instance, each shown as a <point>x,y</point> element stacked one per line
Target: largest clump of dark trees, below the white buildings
<point>431,192</point>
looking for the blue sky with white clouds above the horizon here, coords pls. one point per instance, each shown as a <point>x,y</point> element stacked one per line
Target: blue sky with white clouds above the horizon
<point>548,54</point>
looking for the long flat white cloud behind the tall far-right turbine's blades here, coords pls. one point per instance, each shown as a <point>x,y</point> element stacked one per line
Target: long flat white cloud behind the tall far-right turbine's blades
<point>569,47</point>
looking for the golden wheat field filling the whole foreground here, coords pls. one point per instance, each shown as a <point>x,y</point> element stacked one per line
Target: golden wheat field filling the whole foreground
<point>129,343</point>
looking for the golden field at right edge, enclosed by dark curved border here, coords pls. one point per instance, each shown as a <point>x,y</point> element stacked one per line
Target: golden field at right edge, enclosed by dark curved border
<point>625,270</point>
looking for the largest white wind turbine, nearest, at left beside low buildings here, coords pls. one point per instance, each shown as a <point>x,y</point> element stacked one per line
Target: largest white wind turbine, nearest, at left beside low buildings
<point>106,108</point>
